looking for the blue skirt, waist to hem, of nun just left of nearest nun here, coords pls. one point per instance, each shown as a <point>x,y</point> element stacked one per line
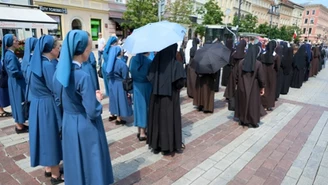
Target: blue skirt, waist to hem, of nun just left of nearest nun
<point>45,143</point>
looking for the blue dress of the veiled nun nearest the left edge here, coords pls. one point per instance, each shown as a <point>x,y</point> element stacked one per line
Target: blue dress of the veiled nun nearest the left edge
<point>16,86</point>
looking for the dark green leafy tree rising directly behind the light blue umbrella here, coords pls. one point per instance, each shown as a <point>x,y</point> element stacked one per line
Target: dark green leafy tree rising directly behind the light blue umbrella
<point>140,12</point>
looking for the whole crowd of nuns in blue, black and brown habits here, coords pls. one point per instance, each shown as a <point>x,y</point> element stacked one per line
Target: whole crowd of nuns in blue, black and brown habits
<point>55,88</point>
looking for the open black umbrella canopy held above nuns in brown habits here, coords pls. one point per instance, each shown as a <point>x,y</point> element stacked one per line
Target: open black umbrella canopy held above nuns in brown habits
<point>211,58</point>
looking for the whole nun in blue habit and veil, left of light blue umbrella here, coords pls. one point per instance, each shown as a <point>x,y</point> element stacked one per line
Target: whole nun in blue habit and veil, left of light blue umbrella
<point>119,101</point>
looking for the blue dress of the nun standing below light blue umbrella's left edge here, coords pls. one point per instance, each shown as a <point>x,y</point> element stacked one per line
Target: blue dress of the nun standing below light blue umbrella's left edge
<point>119,104</point>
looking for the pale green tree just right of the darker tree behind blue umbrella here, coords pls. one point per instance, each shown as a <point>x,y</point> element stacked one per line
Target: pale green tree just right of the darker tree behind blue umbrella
<point>179,11</point>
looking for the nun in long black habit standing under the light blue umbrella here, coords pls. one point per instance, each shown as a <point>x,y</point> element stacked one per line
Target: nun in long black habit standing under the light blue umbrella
<point>167,77</point>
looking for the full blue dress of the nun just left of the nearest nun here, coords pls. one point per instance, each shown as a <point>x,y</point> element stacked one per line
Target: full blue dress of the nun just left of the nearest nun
<point>44,118</point>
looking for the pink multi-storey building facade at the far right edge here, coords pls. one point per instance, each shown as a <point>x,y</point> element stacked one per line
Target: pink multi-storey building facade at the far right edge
<point>315,23</point>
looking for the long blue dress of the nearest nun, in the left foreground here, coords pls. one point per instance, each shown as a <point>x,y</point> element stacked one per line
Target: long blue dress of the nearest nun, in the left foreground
<point>85,148</point>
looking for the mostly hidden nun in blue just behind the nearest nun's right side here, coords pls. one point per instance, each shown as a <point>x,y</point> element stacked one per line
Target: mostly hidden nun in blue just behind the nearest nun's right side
<point>90,67</point>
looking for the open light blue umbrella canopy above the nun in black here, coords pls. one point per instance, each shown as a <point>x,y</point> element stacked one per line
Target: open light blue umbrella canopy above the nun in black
<point>154,37</point>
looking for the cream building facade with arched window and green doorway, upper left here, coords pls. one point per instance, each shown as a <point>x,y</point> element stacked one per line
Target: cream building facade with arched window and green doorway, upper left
<point>89,15</point>
